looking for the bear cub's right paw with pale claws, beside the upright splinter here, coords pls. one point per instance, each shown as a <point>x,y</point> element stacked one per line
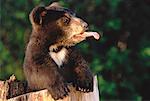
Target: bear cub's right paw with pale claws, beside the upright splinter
<point>84,85</point>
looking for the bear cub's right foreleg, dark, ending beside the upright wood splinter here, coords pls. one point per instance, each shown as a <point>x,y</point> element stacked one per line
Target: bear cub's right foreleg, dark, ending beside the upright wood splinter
<point>83,77</point>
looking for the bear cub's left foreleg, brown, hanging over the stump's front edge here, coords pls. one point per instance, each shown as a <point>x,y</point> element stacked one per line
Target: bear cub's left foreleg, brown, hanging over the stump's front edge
<point>58,86</point>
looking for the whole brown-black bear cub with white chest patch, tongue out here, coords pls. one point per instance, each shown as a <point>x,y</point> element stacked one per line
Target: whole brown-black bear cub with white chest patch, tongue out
<point>51,60</point>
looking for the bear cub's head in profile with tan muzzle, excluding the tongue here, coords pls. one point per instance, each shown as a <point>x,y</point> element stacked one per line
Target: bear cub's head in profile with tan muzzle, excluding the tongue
<point>56,23</point>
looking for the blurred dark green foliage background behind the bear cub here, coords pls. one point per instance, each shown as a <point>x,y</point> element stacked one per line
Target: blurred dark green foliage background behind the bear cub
<point>121,58</point>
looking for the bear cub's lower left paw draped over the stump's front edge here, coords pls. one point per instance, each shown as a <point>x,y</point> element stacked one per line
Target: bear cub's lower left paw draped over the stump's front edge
<point>59,91</point>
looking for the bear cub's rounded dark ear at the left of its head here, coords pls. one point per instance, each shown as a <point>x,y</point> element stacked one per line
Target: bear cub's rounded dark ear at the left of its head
<point>37,15</point>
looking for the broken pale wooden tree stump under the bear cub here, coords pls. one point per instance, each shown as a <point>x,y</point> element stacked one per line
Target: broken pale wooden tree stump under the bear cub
<point>19,90</point>
